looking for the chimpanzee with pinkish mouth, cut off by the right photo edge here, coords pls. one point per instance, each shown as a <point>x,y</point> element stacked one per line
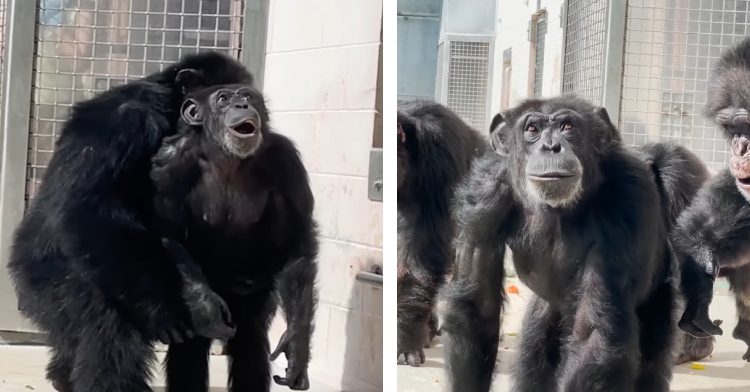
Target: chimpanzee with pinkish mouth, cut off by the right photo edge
<point>714,232</point>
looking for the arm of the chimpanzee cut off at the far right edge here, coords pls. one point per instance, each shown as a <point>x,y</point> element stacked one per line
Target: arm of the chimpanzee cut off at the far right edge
<point>714,231</point>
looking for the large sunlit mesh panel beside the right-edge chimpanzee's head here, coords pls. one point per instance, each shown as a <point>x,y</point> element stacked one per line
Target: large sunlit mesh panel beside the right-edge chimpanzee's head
<point>670,48</point>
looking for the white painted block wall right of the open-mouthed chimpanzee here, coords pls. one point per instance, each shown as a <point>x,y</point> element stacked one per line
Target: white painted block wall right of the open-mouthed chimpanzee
<point>330,111</point>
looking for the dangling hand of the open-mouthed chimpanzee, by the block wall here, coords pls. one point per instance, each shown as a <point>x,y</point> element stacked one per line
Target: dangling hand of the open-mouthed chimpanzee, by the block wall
<point>296,349</point>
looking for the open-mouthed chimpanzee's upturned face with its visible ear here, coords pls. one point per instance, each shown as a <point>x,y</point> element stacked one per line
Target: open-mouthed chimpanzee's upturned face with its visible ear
<point>231,116</point>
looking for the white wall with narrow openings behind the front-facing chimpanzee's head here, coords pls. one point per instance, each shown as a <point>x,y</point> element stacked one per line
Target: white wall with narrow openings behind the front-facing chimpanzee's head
<point>512,32</point>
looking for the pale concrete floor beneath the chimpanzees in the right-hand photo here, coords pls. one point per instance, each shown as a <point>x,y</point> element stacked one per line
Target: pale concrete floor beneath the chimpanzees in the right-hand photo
<point>725,371</point>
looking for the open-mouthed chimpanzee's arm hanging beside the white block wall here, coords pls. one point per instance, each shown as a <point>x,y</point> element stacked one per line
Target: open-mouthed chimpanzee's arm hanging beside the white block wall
<point>296,282</point>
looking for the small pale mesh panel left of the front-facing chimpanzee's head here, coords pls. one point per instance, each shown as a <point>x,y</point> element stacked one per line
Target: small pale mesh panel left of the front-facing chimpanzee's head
<point>467,81</point>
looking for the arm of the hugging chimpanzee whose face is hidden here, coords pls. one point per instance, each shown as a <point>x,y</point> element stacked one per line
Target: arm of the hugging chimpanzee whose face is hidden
<point>98,172</point>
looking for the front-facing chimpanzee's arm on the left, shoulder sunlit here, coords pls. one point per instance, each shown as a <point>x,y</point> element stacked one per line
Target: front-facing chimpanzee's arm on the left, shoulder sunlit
<point>475,297</point>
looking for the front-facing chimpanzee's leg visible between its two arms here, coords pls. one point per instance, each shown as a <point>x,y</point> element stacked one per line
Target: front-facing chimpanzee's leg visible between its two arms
<point>539,354</point>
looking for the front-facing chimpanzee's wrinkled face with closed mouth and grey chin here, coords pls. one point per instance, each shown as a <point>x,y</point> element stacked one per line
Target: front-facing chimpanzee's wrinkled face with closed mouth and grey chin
<point>554,174</point>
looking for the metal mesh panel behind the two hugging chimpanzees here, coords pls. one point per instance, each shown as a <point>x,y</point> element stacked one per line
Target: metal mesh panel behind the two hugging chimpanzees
<point>87,46</point>
